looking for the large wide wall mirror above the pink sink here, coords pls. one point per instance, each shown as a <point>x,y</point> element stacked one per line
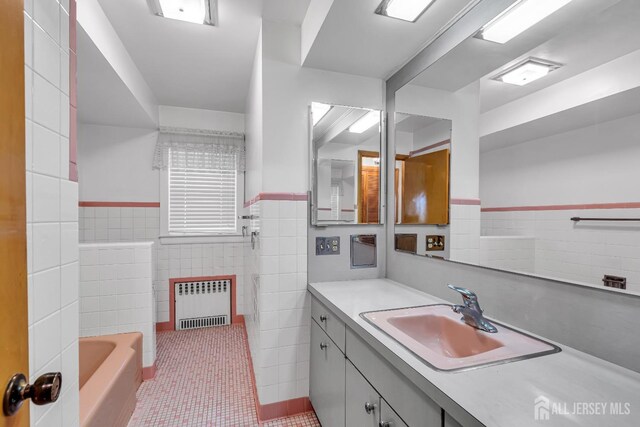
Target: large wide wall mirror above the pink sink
<point>543,132</point>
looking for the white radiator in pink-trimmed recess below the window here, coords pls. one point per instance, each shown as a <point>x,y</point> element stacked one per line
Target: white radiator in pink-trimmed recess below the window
<point>202,304</point>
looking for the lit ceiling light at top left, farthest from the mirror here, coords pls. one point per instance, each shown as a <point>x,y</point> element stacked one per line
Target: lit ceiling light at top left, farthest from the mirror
<point>196,11</point>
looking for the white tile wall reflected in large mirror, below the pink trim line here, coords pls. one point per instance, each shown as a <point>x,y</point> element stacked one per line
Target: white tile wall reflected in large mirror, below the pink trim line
<point>584,251</point>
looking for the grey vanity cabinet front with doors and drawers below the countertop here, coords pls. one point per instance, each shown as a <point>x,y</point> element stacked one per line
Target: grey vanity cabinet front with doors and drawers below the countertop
<point>357,387</point>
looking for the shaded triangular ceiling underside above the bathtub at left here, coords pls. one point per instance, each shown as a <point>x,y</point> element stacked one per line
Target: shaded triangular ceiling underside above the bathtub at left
<point>103,98</point>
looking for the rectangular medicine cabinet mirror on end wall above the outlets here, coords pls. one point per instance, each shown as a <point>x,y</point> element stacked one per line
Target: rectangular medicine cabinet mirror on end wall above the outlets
<point>346,156</point>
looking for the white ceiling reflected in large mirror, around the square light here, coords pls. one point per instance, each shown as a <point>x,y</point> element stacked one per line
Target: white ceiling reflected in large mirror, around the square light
<point>582,35</point>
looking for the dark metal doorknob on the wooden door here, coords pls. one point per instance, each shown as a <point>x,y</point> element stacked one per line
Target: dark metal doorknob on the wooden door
<point>46,389</point>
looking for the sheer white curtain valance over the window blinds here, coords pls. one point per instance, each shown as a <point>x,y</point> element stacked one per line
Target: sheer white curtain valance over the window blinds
<point>201,149</point>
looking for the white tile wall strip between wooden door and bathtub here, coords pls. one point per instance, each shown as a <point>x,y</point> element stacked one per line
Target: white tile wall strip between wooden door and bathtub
<point>52,214</point>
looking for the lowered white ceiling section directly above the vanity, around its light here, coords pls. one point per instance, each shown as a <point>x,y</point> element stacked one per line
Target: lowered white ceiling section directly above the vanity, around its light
<point>355,40</point>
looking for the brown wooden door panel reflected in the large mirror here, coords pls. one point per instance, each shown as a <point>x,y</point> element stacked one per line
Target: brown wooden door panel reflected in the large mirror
<point>425,189</point>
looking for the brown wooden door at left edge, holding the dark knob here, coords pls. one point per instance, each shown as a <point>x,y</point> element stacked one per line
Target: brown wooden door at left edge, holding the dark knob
<point>13,245</point>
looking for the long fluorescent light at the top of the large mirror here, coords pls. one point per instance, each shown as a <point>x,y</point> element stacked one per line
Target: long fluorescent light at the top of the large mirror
<point>521,16</point>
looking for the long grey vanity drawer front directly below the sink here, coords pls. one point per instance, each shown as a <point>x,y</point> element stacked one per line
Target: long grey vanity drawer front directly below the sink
<point>413,406</point>
